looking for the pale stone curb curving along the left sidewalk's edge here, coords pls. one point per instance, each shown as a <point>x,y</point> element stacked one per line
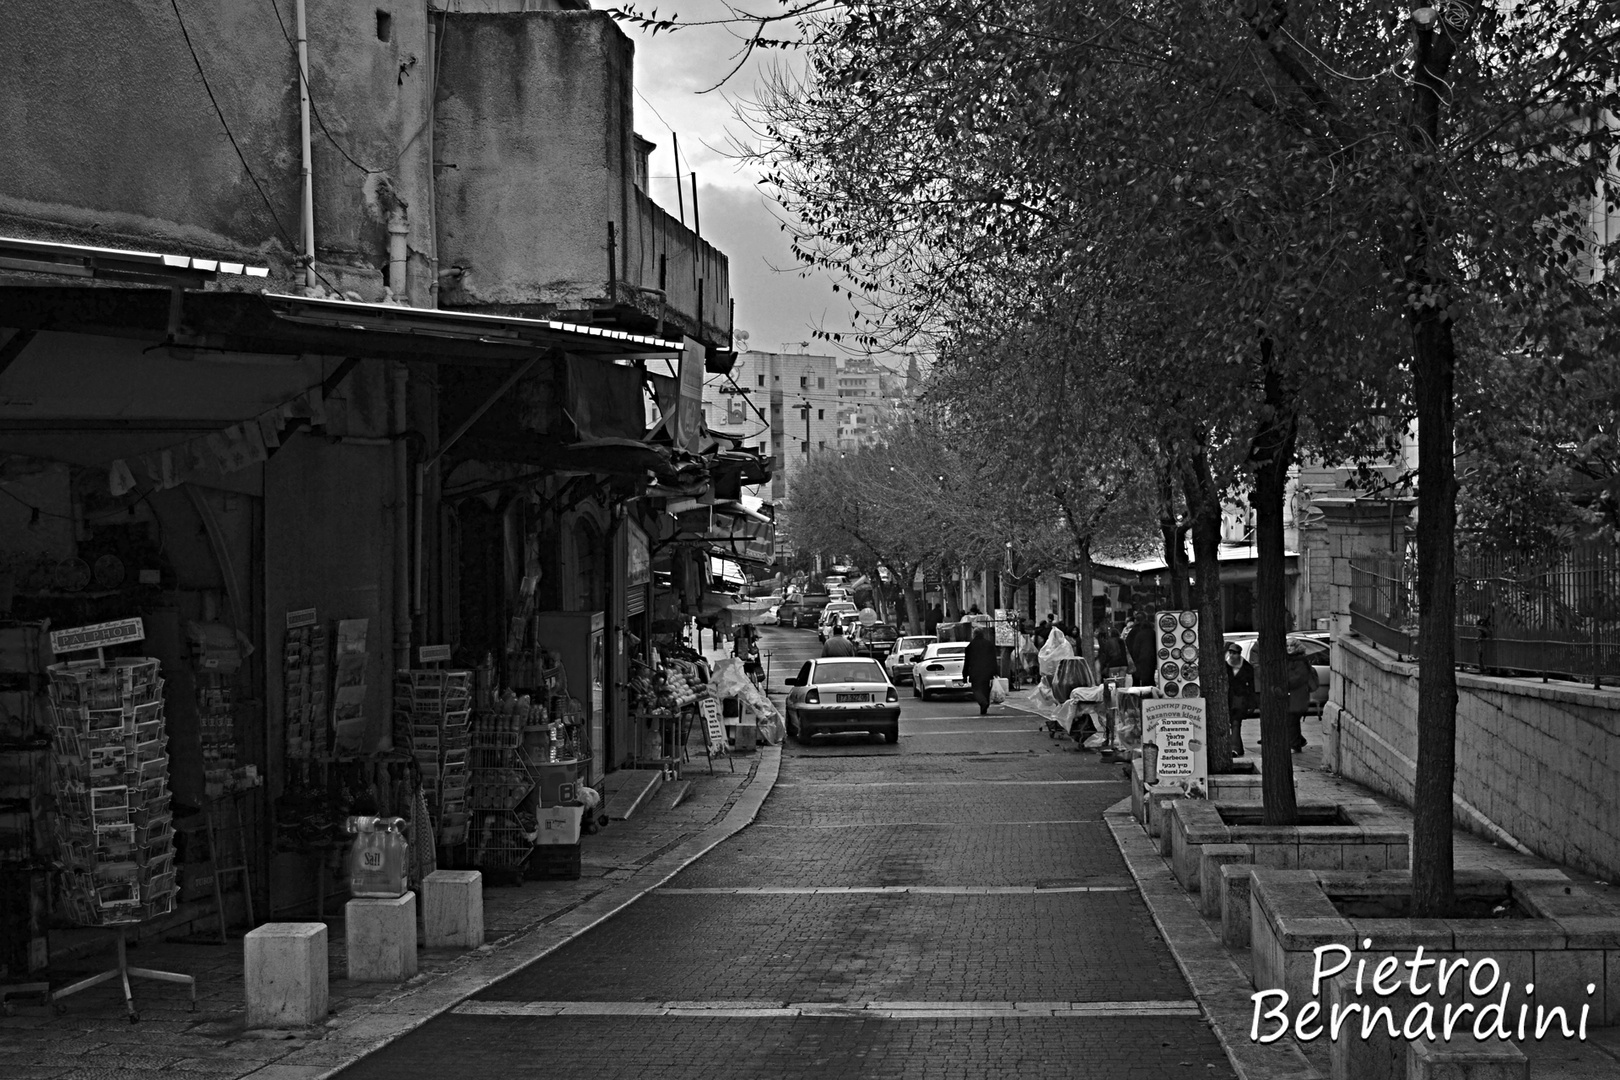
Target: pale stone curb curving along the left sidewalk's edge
<point>375,1029</point>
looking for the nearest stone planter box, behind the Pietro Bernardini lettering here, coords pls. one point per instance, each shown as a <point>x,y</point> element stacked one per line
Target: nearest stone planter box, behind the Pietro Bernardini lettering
<point>1567,940</point>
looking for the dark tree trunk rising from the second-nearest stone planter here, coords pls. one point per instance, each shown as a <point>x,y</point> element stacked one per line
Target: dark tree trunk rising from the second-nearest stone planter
<point>1273,451</point>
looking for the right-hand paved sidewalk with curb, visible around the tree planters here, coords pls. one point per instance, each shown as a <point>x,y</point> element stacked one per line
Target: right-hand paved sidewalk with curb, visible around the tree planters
<point>1222,979</point>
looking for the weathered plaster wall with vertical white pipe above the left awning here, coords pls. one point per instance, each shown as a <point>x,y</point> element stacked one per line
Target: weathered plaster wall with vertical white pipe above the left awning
<point>113,140</point>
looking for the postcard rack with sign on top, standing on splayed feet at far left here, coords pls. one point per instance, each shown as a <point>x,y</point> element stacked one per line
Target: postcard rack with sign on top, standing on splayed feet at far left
<point>114,823</point>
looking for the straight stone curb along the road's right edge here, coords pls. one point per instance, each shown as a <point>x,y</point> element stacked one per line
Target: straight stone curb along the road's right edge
<point>1216,980</point>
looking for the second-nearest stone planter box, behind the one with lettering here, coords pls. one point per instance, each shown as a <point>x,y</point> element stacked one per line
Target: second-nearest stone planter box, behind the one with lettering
<point>1362,836</point>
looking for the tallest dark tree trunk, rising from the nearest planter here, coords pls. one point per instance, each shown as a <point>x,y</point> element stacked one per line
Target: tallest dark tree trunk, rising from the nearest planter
<point>1435,365</point>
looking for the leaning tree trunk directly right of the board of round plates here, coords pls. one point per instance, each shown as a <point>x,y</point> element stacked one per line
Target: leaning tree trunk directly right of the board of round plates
<point>1204,511</point>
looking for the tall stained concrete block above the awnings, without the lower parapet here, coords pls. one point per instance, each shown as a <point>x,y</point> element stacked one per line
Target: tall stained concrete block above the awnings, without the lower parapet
<point>535,117</point>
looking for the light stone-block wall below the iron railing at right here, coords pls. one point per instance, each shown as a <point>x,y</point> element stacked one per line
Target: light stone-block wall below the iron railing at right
<point>1538,765</point>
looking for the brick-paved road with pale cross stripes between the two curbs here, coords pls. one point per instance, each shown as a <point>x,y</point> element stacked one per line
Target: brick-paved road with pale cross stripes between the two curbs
<point>947,908</point>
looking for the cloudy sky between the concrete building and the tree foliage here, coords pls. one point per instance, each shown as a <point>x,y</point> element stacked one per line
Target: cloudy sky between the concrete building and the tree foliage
<point>671,74</point>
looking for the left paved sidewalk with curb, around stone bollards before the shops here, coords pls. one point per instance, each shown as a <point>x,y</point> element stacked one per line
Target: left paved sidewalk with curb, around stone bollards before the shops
<point>621,864</point>
